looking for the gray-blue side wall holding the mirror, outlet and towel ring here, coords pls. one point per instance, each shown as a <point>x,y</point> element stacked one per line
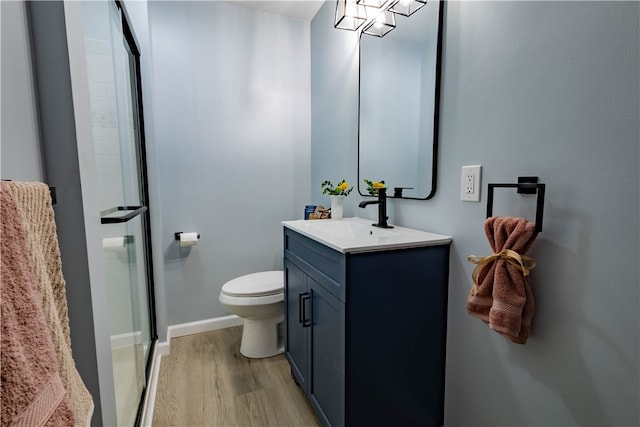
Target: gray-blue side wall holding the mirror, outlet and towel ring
<point>540,88</point>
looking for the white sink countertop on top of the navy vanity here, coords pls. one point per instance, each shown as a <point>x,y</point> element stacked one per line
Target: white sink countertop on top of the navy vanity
<point>352,235</point>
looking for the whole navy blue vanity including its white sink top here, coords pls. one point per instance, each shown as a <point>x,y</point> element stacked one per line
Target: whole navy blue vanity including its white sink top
<point>365,314</point>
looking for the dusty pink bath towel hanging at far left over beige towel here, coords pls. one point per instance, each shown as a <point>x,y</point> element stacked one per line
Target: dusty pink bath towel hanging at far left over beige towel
<point>32,392</point>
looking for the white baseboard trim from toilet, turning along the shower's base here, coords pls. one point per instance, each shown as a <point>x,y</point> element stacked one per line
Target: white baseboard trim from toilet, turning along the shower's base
<point>164,348</point>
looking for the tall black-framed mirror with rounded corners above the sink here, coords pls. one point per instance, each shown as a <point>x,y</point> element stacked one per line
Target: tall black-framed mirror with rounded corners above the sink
<point>399,102</point>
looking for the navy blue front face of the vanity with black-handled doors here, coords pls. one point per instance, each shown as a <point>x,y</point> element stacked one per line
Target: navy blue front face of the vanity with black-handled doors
<point>315,323</point>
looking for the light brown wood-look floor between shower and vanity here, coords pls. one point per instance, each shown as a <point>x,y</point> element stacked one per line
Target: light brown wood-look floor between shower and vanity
<point>205,381</point>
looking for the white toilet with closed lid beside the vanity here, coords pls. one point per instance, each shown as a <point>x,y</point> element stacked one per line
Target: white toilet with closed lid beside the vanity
<point>259,299</point>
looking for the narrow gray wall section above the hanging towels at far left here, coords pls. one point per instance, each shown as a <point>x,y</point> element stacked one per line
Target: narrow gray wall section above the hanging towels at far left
<point>20,147</point>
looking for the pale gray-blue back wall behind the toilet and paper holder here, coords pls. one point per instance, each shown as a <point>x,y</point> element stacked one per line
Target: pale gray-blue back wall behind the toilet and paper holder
<point>231,101</point>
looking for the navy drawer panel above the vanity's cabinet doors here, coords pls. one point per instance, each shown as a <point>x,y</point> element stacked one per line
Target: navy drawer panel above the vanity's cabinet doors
<point>325,265</point>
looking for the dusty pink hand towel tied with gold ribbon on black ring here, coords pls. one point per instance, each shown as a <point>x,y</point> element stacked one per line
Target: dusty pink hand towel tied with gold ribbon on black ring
<point>501,295</point>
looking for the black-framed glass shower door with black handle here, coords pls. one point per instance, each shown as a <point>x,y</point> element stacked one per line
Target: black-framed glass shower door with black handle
<point>119,146</point>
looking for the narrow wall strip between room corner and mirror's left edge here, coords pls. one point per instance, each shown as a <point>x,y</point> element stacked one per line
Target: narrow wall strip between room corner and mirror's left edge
<point>334,110</point>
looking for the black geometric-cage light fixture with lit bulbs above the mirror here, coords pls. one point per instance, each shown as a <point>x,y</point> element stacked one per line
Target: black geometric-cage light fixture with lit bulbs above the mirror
<point>376,17</point>
